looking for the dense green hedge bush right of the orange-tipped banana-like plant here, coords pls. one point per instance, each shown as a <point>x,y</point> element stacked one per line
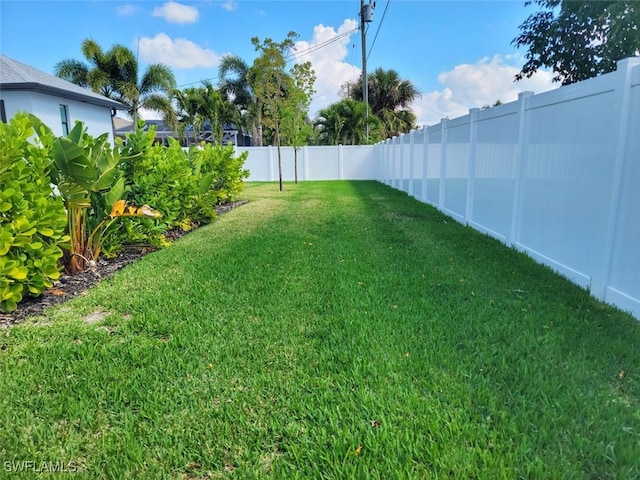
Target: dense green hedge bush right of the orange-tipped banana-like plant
<point>185,186</point>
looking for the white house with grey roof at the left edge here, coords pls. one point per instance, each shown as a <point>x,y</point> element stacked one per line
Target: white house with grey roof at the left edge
<point>56,102</point>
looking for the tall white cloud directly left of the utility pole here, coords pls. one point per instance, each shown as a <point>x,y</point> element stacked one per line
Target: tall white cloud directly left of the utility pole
<point>327,51</point>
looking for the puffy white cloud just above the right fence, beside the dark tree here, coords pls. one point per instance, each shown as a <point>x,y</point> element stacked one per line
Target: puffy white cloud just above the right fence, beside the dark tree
<point>474,86</point>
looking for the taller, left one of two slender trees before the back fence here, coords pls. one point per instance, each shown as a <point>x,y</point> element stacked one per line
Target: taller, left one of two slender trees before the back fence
<point>270,83</point>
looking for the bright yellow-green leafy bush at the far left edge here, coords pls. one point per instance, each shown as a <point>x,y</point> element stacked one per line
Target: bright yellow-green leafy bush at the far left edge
<point>32,218</point>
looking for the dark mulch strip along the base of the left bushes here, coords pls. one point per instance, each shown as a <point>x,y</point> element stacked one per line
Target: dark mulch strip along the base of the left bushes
<point>70,286</point>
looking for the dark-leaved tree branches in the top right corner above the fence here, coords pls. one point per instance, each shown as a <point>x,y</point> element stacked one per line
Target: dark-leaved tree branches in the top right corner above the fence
<point>578,39</point>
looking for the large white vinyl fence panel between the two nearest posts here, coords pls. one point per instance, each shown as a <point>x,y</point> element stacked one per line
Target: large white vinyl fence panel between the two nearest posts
<point>567,178</point>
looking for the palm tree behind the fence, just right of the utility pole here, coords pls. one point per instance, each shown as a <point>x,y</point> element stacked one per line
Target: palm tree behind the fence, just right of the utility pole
<point>390,99</point>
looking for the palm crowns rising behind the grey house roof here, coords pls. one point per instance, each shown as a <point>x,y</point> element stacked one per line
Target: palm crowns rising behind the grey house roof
<point>115,74</point>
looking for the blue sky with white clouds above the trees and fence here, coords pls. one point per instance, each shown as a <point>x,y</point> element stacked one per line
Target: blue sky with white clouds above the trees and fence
<point>457,53</point>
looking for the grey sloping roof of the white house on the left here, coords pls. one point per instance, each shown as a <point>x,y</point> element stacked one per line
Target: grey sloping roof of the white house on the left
<point>15,75</point>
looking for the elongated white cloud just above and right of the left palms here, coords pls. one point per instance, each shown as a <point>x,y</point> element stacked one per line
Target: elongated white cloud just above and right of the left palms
<point>176,53</point>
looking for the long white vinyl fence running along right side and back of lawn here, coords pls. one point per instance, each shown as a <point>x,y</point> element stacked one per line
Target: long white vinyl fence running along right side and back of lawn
<point>556,175</point>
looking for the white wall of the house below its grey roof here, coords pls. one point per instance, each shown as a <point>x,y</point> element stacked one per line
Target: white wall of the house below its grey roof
<point>47,108</point>
